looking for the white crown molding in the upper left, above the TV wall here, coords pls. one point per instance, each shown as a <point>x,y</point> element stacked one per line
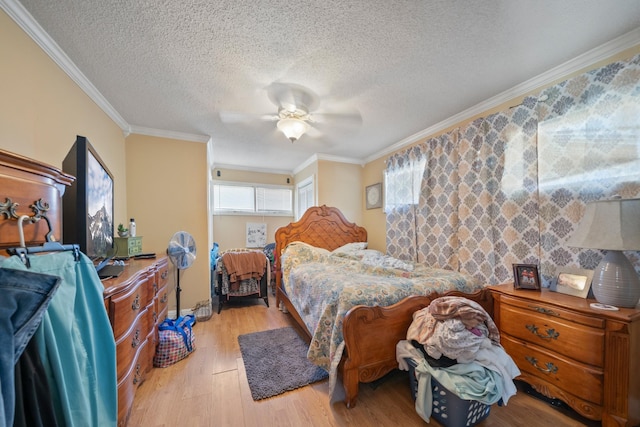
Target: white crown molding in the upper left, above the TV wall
<point>23,18</point>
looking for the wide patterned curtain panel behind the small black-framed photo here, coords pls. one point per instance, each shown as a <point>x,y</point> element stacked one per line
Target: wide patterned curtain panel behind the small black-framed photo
<point>498,192</point>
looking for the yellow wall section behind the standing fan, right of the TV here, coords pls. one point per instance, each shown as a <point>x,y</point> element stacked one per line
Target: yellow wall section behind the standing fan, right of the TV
<point>167,193</point>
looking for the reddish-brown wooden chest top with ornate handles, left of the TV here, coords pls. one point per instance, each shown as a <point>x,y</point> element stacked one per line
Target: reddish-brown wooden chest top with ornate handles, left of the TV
<point>32,188</point>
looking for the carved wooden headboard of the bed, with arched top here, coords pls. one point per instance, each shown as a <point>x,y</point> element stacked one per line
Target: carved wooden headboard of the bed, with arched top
<point>320,226</point>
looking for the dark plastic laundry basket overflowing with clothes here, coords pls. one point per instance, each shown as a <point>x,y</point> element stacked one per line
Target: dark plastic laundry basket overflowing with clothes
<point>447,408</point>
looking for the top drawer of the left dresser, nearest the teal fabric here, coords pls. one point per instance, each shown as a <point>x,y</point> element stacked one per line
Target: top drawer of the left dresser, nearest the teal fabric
<point>125,307</point>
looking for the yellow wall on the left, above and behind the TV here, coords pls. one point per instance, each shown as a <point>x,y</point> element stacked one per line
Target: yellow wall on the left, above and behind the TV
<point>42,110</point>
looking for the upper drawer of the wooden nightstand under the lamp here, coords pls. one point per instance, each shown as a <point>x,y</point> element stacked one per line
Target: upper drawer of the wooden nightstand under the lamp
<point>552,331</point>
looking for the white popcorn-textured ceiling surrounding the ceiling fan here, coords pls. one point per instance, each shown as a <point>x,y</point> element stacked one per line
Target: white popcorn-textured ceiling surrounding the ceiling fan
<point>202,67</point>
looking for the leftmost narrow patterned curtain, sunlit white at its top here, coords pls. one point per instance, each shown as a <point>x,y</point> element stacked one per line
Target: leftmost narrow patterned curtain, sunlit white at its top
<point>403,176</point>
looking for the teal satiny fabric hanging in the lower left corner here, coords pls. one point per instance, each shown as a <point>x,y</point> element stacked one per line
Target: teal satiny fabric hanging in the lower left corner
<point>76,342</point>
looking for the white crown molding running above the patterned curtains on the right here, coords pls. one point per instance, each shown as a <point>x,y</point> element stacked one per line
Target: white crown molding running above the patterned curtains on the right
<point>587,59</point>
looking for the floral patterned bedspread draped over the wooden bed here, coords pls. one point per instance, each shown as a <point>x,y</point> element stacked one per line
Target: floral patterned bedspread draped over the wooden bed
<point>324,285</point>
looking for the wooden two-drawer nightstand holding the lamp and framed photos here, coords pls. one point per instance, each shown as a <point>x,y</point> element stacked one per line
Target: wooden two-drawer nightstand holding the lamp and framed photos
<point>565,349</point>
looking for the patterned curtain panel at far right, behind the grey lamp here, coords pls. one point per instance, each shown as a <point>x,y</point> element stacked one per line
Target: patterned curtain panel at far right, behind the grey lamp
<point>589,149</point>
